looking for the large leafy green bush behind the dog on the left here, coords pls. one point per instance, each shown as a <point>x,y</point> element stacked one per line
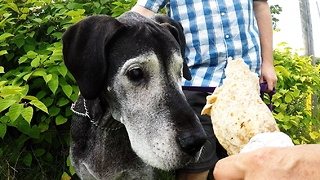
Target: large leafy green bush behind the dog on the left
<point>36,90</point>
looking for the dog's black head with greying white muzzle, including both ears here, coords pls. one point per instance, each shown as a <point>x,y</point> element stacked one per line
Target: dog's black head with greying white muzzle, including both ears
<point>136,65</point>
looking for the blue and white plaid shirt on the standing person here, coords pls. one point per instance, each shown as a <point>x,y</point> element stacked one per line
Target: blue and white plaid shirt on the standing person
<point>215,30</point>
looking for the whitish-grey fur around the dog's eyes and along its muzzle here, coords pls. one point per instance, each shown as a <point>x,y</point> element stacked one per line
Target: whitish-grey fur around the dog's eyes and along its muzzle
<point>144,112</point>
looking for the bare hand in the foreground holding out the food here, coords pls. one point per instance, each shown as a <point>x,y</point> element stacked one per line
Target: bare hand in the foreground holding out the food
<point>295,162</point>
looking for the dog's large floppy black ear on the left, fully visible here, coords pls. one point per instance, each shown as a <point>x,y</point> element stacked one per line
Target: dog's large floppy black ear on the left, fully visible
<point>84,47</point>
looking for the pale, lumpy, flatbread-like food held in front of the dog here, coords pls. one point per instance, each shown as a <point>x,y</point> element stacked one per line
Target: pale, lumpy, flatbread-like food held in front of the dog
<point>236,109</point>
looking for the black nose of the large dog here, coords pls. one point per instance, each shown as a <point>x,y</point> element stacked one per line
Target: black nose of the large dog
<point>192,143</point>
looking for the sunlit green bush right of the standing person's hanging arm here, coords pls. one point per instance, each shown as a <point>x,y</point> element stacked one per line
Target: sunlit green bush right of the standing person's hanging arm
<point>297,80</point>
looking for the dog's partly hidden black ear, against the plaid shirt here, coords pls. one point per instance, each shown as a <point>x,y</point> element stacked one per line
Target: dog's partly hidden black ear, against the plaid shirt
<point>176,30</point>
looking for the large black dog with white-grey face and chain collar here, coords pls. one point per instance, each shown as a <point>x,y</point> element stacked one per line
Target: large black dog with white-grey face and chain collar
<point>131,117</point>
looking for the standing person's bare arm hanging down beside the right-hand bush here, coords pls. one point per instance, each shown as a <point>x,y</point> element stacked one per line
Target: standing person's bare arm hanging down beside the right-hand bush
<point>263,16</point>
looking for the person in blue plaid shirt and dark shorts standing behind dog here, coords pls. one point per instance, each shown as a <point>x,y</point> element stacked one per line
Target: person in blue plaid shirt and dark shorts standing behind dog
<point>216,30</point>
